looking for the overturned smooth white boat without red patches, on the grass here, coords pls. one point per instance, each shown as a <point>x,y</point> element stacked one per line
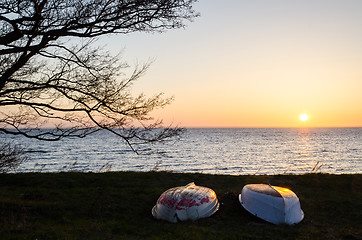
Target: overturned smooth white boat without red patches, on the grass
<point>274,204</point>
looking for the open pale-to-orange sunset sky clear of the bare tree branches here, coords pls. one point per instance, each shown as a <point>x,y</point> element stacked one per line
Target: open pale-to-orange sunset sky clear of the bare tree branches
<point>256,63</point>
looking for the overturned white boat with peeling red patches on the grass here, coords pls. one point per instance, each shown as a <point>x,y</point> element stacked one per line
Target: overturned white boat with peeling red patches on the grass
<point>183,203</point>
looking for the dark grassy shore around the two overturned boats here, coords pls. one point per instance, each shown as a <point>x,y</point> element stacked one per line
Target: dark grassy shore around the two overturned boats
<point>118,206</point>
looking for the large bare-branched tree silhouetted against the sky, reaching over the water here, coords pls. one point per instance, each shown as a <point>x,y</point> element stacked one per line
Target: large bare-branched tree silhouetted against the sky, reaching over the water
<point>51,72</point>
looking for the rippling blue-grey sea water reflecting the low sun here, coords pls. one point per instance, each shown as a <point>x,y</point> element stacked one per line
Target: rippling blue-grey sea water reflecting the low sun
<point>216,151</point>
